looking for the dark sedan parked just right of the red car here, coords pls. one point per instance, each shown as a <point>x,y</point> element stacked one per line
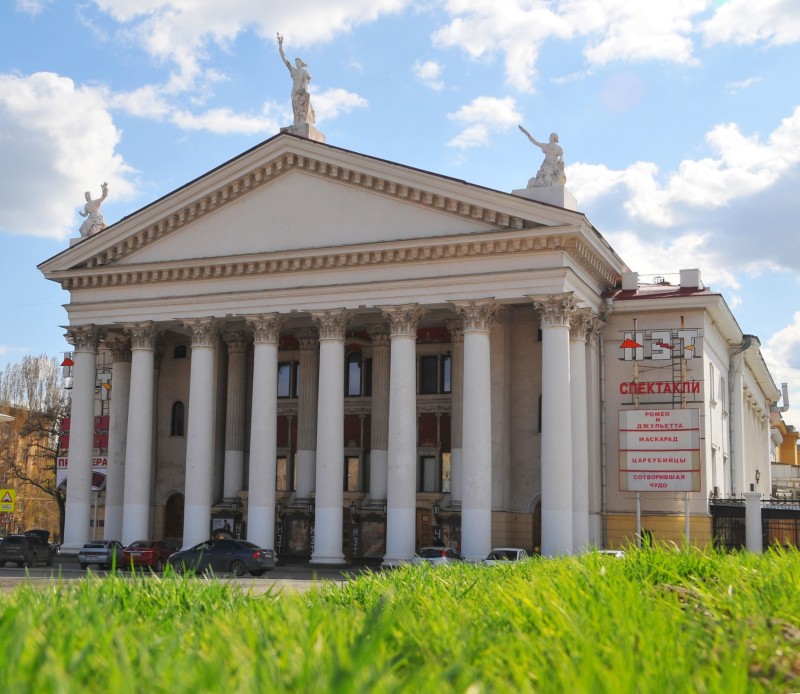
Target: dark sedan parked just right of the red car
<point>224,556</point>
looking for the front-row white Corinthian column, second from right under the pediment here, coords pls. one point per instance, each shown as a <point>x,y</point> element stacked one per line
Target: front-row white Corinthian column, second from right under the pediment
<point>476,504</point>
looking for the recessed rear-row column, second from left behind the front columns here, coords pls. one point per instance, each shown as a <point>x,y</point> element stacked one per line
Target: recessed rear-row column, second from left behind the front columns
<point>306,458</point>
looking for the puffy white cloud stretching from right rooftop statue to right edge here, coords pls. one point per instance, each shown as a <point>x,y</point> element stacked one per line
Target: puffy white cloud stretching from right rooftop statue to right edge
<point>744,166</point>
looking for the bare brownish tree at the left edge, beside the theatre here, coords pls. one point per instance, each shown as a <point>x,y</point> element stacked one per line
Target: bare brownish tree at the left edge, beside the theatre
<point>32,391</point>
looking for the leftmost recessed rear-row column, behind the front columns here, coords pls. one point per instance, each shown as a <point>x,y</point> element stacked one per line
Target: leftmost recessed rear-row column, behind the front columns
<point>233,479</point>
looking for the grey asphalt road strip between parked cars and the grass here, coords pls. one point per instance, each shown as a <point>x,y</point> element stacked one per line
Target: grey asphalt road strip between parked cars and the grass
<point>296,577</point>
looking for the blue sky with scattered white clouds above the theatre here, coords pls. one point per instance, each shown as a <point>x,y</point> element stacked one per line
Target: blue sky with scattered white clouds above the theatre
<point>679,119</point>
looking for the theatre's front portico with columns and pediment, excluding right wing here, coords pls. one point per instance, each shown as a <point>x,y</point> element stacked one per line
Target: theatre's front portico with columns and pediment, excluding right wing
<point>355,339</point>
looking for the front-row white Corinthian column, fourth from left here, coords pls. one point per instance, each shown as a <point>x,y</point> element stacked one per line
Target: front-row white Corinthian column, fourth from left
<point>263,430</point>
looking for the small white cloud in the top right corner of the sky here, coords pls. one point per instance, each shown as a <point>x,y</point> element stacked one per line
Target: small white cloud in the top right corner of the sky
<point>745,22</point>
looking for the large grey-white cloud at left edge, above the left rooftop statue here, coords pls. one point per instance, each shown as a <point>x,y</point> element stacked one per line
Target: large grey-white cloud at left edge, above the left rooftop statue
<point>56,139</point>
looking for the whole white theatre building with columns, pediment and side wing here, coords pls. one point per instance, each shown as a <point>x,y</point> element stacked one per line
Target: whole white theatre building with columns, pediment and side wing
<point>346,357</point>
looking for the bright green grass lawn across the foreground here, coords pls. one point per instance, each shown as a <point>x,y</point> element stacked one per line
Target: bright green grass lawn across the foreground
<point>655,621</point>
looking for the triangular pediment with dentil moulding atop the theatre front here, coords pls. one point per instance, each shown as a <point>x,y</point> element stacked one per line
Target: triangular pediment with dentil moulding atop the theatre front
<point>290,193</point>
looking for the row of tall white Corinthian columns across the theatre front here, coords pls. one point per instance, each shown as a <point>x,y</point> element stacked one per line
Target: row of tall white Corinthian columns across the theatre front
<point>320,455</point>
